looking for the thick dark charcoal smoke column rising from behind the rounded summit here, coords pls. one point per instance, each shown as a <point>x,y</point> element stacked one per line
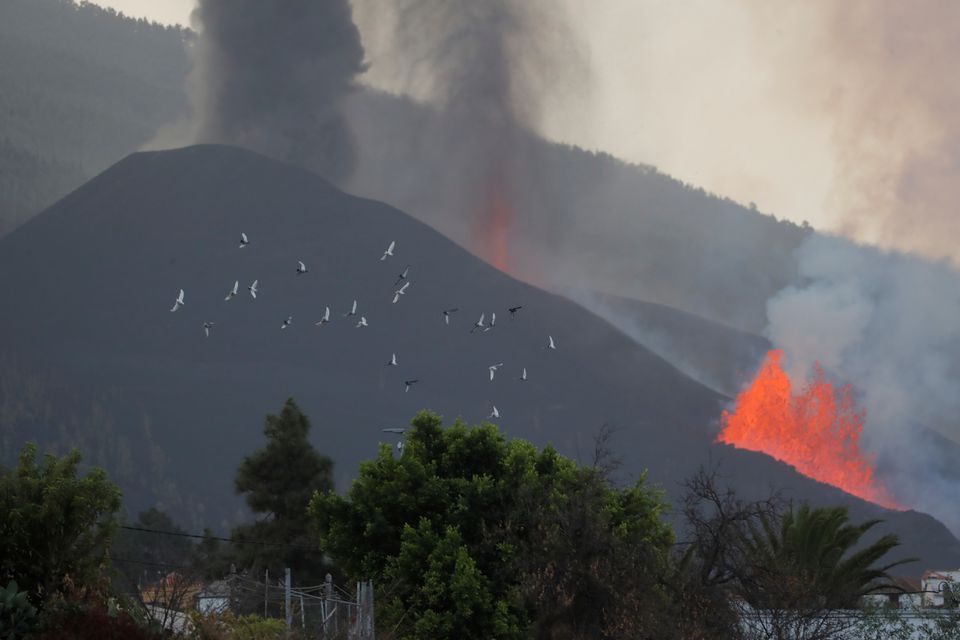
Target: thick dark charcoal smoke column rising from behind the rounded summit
<point>271,75</point>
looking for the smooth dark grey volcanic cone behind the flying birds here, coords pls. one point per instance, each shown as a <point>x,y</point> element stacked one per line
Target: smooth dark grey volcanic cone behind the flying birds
<point>94,277</point>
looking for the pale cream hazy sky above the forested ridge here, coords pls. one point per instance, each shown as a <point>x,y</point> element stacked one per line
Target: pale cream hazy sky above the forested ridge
<point>835,112</point>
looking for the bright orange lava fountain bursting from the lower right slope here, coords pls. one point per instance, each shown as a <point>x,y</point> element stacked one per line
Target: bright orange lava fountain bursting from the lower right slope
<point>817,431</point>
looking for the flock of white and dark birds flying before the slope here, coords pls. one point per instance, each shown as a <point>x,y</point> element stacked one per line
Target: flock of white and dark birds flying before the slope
<point>403,283</point>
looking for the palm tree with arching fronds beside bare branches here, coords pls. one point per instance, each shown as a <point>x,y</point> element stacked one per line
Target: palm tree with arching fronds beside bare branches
<point>813,557</point>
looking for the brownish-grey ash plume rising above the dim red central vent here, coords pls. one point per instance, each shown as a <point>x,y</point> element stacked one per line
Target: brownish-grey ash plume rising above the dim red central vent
<point>483,67</point>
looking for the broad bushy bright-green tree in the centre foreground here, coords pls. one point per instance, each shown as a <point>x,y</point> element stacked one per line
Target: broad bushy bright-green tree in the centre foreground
<point>472,535</point>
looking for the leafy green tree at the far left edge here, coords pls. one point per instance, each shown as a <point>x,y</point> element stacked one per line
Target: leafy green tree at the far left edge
<point>57,525</point>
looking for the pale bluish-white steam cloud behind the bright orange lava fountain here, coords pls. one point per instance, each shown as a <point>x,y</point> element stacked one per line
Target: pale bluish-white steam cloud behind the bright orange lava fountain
<point>890,324</point>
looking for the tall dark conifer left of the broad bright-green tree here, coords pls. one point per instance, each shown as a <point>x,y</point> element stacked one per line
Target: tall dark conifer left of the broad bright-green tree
<point>277,482</point>
